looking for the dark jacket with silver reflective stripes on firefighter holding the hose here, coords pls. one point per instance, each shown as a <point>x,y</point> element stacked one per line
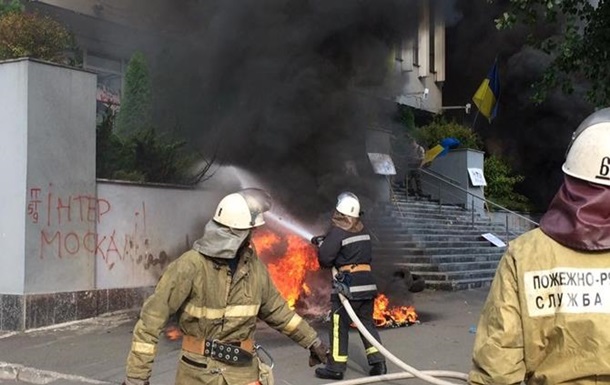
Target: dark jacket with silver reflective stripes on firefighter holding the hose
<point>345,248</point>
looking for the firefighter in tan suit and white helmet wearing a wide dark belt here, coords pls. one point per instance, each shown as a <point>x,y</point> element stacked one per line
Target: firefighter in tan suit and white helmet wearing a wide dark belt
<point>218,289</point>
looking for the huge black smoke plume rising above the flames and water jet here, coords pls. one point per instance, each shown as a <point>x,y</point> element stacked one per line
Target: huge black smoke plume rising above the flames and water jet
<point>276,87</point>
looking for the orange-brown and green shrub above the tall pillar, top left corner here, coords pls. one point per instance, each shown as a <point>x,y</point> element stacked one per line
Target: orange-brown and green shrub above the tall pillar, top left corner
<point>24,34</point>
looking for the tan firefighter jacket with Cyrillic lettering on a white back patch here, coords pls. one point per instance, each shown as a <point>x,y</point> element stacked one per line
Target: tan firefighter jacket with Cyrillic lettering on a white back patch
<point>547,317</point>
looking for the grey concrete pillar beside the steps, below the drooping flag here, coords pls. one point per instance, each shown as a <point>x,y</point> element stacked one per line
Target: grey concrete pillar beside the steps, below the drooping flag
<point>454,166</point>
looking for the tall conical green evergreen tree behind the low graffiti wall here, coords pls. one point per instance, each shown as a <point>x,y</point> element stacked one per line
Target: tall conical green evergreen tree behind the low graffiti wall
<point>135,114</point>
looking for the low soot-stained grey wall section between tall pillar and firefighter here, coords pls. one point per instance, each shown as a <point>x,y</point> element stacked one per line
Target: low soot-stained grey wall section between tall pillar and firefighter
<point>142,228</point>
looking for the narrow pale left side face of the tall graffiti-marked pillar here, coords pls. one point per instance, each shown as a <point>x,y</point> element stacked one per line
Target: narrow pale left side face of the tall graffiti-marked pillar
<point>13,163</point>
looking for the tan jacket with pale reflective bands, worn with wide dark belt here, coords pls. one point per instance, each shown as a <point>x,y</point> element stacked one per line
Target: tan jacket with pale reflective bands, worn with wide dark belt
<point>212,303</point>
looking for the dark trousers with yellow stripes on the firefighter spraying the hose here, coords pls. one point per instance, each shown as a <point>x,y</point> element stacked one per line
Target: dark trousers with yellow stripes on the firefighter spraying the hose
<point>339,332</point>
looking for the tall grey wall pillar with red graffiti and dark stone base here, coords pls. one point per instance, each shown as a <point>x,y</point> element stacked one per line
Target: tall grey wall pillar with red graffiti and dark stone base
<point>48,199</point>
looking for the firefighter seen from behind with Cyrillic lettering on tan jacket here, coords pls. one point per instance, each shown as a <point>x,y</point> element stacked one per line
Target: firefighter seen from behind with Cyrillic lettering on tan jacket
<point>546,318</point>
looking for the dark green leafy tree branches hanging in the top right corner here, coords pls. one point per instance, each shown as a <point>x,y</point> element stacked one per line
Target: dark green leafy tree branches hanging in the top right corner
<point>579,50</point>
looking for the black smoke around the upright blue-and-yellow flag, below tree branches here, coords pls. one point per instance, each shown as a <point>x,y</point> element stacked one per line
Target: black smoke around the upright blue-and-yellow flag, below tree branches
<point>532,137</point>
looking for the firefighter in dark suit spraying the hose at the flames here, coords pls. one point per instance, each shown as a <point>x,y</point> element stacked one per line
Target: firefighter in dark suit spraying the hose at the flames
<point>347,247</point>
